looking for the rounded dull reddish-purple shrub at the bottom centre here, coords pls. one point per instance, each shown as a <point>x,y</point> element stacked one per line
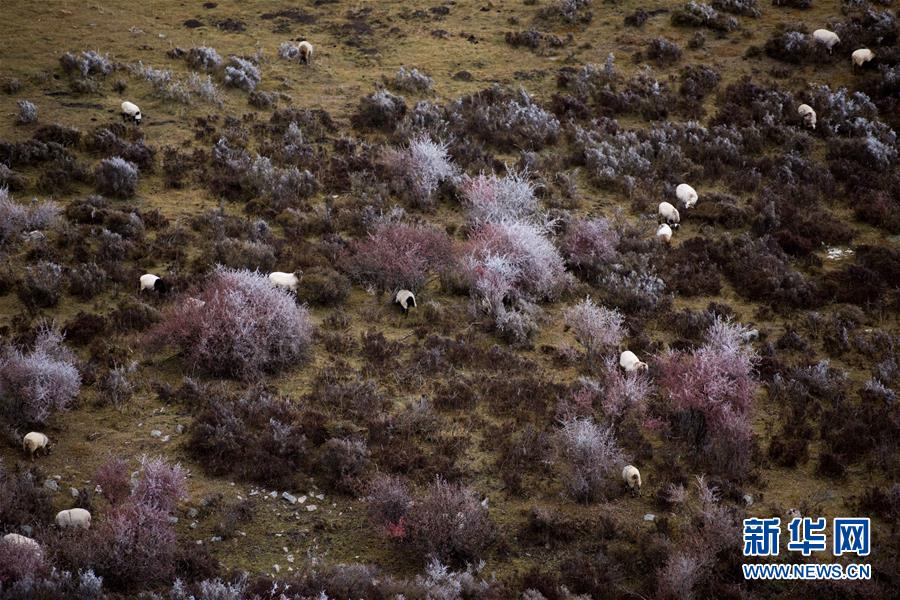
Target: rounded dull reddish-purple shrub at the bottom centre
<point>449,523</point>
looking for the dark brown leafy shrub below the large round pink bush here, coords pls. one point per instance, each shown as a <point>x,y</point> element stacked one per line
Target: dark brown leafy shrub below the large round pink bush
<point>256,436</point>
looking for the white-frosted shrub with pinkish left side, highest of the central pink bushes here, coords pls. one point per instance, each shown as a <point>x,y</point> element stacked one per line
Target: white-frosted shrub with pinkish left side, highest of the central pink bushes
<point>418,171</point>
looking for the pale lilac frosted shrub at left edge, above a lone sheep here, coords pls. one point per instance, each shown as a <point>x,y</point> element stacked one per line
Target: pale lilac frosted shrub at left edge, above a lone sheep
<point>37,383</point>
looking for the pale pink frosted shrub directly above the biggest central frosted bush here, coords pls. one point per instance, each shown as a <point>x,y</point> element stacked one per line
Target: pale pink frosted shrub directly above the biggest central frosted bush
<point>492,199</point>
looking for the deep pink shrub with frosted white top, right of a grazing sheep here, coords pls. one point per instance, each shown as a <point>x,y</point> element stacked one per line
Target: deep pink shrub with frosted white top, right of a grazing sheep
<point>710,393</point>
